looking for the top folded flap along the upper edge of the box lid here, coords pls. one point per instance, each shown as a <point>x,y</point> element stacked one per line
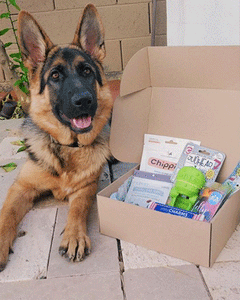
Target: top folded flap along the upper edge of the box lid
<point>212,67</point>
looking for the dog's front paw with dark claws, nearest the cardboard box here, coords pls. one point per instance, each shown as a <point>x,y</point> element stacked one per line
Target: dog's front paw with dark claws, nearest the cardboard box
<point>75,246</point>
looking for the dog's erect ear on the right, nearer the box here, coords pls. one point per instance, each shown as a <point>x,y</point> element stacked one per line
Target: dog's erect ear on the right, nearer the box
<point>90,33</point>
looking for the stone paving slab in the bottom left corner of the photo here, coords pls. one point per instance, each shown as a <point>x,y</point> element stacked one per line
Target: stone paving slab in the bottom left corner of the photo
<point>104,286</point>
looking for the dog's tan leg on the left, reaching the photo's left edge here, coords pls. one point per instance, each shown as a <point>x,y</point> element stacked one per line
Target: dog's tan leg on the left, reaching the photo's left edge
<point>19,201</point>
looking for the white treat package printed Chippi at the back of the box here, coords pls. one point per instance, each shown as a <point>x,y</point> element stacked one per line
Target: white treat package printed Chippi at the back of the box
<point>161,153</point>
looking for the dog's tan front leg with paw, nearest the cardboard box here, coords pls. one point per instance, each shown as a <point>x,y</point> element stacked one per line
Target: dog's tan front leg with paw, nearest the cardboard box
<point>75,242</point>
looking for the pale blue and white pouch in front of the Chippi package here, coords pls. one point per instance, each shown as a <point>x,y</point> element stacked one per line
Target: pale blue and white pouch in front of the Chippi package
<point>147,187</point>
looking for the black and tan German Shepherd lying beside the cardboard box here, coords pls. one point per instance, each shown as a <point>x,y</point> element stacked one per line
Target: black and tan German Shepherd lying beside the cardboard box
<point>64,133</point>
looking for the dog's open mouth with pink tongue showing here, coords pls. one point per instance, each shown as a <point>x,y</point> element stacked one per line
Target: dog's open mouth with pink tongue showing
<point>80,124</point>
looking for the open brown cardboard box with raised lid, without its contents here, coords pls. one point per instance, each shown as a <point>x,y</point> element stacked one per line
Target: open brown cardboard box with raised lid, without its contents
<point>185,92</point>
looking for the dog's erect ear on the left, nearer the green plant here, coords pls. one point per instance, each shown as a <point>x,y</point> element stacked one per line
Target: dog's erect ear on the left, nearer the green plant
<point>34,42</point>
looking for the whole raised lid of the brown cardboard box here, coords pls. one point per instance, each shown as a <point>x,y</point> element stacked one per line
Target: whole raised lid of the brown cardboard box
<point>184,92</point>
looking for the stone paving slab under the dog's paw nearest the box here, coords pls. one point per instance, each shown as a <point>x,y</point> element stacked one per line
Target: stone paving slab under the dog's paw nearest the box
<point>103,257</point>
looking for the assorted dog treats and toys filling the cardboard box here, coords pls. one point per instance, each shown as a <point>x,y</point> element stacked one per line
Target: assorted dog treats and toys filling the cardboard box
<point>178,176</point>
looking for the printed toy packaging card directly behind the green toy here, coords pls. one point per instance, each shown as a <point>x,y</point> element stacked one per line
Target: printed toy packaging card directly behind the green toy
<point>206,160</point>
